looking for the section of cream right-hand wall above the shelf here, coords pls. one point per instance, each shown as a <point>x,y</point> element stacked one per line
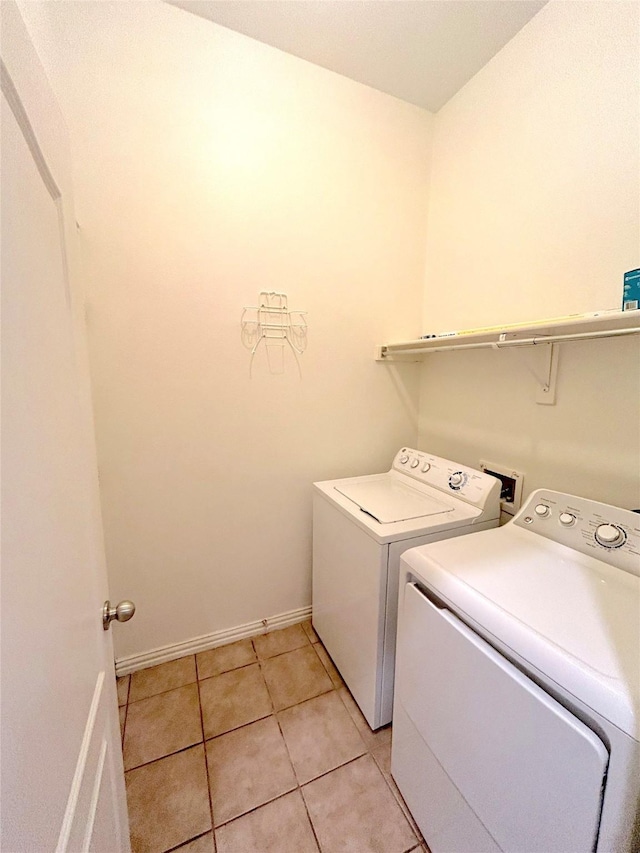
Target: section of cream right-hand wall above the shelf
<point>535,183</point>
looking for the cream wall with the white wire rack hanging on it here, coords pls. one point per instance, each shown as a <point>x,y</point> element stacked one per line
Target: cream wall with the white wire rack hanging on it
<point>210,167</point>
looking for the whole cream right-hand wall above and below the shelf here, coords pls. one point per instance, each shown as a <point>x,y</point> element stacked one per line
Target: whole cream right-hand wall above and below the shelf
<point>534,212</point>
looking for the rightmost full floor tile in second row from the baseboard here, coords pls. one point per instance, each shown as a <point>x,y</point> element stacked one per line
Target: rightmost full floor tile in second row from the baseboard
<point>295,676</point>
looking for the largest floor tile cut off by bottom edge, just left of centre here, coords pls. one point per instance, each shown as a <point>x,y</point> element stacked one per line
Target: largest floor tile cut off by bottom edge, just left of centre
<point>281,826</point>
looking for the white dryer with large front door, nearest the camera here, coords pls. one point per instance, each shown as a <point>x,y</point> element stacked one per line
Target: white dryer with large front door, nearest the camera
<point>517,703</point>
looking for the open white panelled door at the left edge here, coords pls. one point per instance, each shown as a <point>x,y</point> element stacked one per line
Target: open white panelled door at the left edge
<point>62,780</point>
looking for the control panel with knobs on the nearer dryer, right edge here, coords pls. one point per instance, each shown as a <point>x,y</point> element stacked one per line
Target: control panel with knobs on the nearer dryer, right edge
<point>608,533</point>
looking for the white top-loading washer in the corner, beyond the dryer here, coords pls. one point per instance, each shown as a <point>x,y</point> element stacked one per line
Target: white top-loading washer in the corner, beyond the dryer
<point>361,526</point>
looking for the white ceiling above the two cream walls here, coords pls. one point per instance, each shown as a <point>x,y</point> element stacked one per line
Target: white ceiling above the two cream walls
<point>422,51</point>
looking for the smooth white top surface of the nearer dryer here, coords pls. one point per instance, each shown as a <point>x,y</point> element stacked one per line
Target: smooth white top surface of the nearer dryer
<point>572,617</point>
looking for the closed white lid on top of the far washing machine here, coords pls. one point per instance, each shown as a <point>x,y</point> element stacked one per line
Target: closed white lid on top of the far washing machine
<point>387,500</point>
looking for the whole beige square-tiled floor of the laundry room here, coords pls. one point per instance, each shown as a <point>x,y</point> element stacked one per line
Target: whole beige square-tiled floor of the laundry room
<point>257,747</point>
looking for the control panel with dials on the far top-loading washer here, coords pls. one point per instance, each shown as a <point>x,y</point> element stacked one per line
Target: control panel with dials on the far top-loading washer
<point>474,487</point>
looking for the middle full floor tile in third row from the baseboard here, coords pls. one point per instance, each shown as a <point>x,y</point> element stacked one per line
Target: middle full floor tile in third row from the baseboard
<point>247,768</point>
